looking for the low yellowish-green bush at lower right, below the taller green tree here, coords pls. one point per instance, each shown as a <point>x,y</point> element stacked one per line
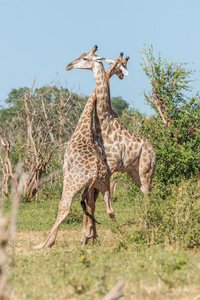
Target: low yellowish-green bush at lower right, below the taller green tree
<point>174,219</point>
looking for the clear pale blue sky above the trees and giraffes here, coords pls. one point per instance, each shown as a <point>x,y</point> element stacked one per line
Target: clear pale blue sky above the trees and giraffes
<point>39,38</point>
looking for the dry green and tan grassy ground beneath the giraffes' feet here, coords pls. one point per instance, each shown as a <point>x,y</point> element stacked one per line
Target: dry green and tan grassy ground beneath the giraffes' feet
<point>67,271</point>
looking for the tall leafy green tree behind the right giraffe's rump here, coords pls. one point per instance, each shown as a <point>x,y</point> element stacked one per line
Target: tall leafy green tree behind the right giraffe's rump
<point>174,130</point>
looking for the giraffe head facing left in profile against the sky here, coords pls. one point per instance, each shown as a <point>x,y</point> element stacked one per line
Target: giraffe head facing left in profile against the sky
<point>86,60</point>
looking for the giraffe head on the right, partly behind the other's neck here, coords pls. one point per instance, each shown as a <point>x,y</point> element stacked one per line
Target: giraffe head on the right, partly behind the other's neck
<point>119,66</point>
